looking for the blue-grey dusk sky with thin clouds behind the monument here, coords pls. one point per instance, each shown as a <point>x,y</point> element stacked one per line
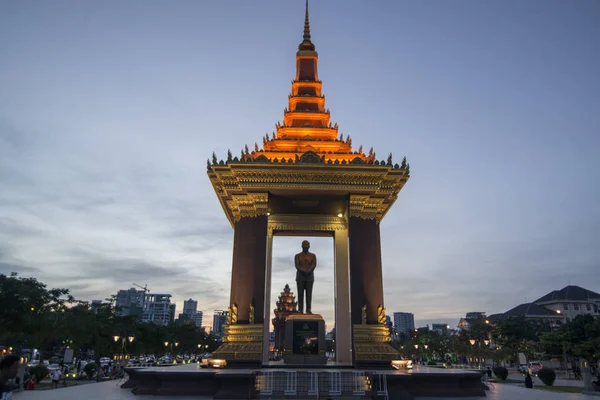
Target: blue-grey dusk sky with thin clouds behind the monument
<point>109,110</point>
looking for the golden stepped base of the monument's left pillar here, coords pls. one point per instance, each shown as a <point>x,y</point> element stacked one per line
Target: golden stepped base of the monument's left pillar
<point>242,345</point>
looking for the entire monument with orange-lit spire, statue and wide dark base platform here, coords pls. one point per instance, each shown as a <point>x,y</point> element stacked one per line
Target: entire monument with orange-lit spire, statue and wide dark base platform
<point>306,180</point>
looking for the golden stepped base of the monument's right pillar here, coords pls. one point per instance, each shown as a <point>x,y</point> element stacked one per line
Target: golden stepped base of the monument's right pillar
<point>372,346</point>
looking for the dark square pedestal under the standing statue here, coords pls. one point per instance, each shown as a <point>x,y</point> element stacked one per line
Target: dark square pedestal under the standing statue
<point>305,340</point>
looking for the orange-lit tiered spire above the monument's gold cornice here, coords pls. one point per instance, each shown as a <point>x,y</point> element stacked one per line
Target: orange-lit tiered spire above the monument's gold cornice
<point>306,122</point>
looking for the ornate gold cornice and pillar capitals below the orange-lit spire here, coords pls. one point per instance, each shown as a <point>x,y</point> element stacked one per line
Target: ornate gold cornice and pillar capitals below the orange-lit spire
<point>242,188</point>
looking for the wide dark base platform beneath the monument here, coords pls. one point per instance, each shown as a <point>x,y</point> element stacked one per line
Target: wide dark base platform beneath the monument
<point>191,380</point>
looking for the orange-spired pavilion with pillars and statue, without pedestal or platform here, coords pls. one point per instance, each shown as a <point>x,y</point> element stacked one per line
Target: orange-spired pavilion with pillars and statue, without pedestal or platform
<point>307,179</point>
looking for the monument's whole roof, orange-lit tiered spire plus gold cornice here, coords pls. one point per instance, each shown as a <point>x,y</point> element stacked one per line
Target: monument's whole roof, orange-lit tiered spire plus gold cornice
<point>306,158</point>
